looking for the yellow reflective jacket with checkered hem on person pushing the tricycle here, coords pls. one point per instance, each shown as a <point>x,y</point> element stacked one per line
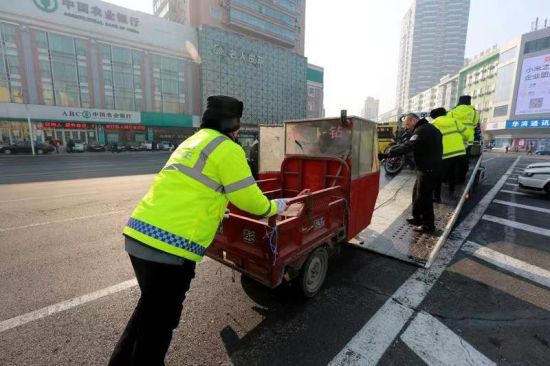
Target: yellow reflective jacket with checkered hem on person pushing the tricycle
<point>184,206</point>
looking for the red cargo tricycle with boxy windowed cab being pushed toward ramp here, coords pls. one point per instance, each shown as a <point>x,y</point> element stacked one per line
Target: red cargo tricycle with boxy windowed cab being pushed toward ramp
<point>330,172</point>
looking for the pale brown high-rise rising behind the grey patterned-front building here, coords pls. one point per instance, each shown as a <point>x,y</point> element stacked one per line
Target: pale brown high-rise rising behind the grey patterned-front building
<point>280,22</point>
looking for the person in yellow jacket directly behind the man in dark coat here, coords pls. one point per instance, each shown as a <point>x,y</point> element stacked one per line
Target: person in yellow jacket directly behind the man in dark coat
<point>455,136</point>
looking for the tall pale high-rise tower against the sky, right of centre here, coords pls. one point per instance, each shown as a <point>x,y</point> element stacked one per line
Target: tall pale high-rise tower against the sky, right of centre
<point>432,43</point>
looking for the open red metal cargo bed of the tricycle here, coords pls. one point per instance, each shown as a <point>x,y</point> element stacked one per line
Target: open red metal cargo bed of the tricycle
<point>269,249</point>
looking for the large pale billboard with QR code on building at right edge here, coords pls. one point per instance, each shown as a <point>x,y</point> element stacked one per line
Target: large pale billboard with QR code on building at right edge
<point>533,96</point>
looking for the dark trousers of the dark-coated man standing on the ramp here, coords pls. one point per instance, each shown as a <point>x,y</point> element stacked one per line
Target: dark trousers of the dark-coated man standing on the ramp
<point>423,197</point>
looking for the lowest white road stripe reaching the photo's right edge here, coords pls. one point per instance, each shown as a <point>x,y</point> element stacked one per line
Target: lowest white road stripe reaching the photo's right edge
<point>509,264</point>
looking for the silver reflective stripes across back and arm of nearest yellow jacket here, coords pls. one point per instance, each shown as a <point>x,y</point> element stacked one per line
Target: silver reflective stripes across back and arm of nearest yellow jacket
<point>196,173</point>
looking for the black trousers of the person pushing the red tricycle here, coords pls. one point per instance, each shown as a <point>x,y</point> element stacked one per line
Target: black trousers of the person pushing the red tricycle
<point>147,336</point>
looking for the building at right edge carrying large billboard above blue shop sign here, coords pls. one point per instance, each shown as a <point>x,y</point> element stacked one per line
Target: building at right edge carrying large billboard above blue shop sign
<point>521,108</point>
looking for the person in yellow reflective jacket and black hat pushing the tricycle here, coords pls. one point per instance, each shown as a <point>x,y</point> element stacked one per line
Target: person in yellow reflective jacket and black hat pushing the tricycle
<point>175,222</point>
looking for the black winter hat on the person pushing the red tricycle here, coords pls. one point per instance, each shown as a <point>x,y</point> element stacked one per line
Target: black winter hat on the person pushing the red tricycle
<point>219,110</point>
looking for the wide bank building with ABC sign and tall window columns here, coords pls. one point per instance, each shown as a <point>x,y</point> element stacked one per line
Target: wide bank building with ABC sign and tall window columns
<point>95,72</point>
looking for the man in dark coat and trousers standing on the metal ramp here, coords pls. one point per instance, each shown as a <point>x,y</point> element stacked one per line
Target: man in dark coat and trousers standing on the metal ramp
<point>426,143</point>
